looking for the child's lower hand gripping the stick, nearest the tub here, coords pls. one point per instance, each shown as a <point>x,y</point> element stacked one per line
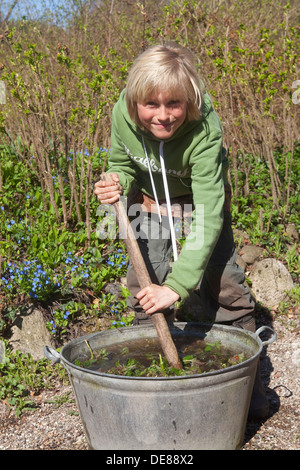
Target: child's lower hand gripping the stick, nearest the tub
<point>155,298</point>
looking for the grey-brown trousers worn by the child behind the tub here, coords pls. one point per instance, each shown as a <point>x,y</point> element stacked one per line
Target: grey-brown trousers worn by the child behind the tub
<point>221,296</point>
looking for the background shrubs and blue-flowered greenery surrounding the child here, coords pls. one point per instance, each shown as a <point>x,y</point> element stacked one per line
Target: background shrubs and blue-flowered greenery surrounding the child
<point>63,73</point>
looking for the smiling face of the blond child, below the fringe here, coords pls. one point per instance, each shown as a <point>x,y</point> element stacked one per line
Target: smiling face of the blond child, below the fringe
<point>162,114</point>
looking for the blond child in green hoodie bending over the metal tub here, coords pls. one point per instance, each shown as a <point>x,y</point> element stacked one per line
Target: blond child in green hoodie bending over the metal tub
<point>167,153</point>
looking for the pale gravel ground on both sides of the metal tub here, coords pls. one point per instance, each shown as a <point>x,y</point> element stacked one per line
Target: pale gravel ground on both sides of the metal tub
<point>56,425</point>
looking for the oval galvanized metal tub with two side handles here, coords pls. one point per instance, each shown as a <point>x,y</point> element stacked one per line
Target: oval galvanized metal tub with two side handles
<point>205,411</point>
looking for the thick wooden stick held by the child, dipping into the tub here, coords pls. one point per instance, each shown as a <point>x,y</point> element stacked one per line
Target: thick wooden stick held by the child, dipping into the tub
<point>144,280</point>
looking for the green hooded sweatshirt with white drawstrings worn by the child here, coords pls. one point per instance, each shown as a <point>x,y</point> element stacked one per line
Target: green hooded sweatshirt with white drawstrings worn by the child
<point>195,164</point>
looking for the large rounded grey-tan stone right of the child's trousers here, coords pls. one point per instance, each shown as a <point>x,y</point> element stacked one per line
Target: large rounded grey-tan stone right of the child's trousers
<point>270,280</point>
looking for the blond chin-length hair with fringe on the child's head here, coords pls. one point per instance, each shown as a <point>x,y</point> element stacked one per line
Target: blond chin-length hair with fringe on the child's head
<point>168,68</point>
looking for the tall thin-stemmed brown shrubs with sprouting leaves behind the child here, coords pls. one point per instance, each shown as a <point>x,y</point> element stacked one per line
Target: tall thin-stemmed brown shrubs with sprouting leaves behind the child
<point>63,83</point>
